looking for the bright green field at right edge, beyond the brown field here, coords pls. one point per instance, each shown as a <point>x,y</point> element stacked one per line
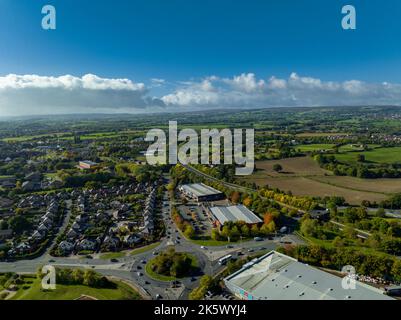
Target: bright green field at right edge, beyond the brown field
<point>379,155</point>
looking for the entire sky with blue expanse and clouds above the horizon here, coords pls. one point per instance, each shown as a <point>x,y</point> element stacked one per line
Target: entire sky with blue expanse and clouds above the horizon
<point>155,55</point>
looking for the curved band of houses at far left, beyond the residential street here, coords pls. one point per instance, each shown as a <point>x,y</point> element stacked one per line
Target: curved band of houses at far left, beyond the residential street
<point>46,224</point>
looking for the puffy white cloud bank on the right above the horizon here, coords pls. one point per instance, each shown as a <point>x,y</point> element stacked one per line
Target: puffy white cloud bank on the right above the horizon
<point>246,90</point>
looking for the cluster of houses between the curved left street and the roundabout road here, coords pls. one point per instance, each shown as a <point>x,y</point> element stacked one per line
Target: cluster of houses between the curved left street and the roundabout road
<point>98,210</point>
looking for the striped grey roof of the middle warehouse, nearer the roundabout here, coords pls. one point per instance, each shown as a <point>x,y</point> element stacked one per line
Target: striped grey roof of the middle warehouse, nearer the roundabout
<point>234,213</point>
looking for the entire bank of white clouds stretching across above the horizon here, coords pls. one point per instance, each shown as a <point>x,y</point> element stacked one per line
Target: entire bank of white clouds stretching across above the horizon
<point>33,94</point>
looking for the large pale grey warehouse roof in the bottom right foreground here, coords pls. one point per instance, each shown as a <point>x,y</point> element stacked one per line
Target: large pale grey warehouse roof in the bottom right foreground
<point>278,277</point>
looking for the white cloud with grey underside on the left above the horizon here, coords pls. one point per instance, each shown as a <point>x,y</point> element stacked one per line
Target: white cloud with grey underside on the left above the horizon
<point>33,94</point>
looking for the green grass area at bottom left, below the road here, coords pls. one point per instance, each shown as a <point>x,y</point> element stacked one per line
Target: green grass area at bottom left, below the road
<point>72,292</point>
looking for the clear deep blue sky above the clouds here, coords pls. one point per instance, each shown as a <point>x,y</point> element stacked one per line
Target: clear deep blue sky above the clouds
<point>186,41</point>
